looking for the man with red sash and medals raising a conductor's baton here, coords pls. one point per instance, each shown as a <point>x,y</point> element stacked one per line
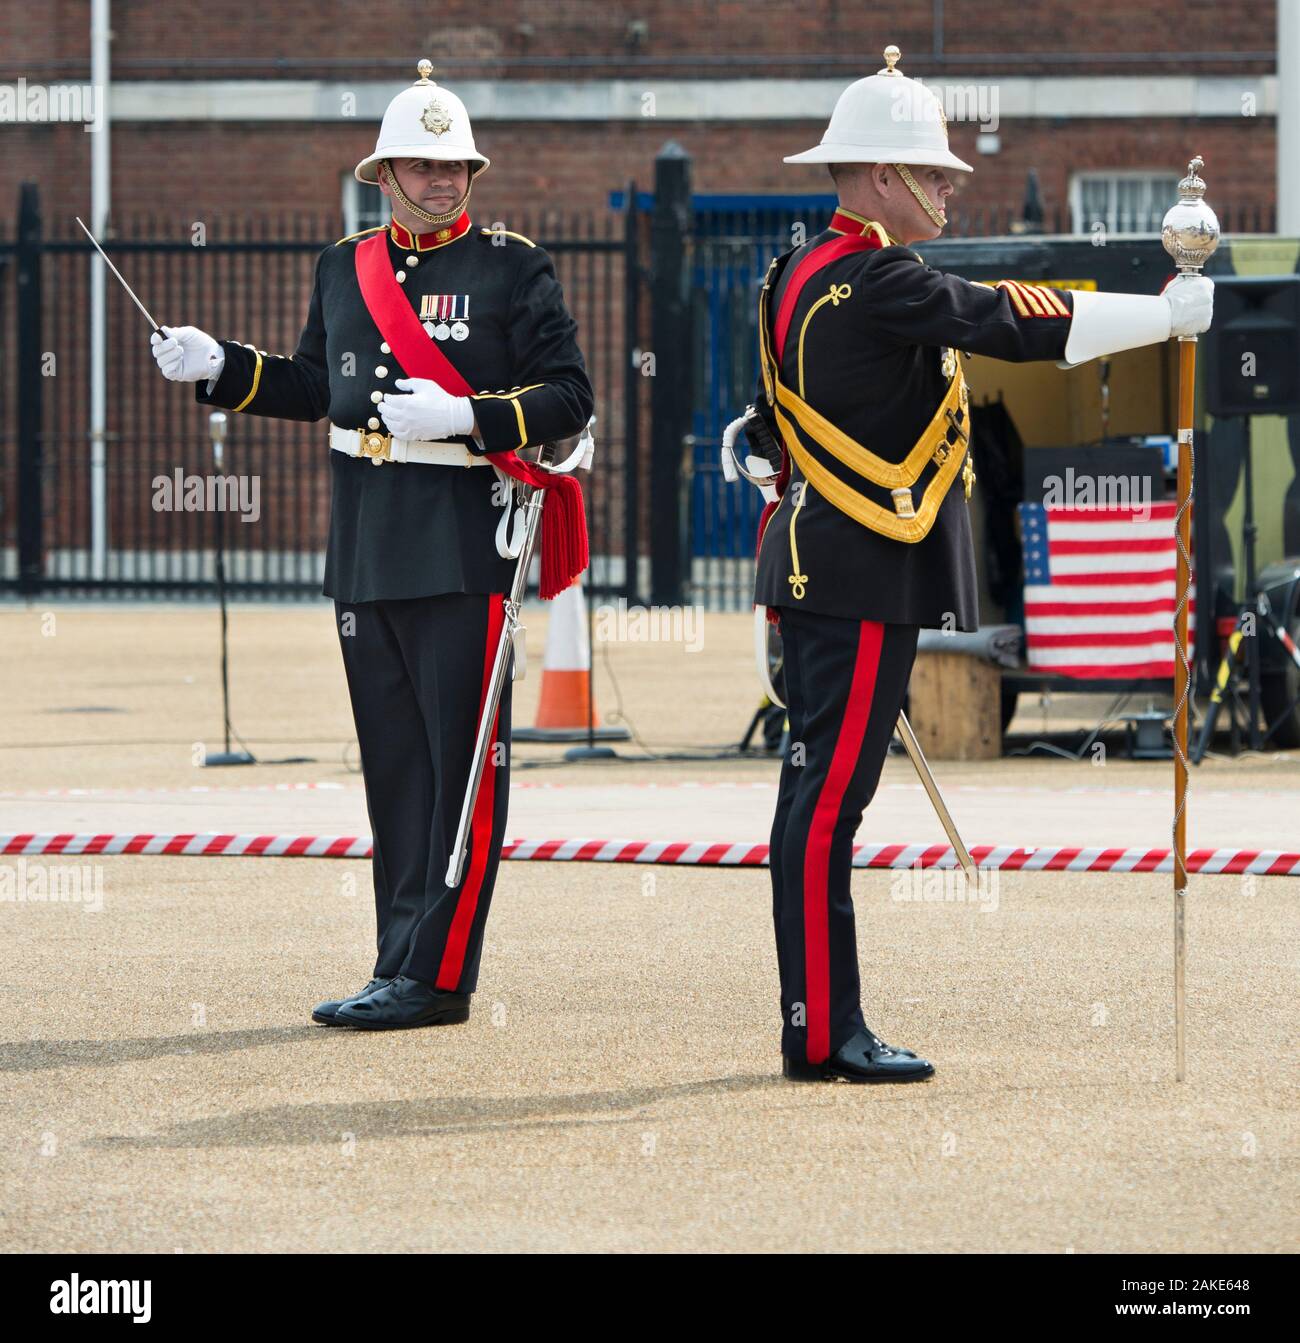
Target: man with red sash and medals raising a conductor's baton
<point>421,543</point>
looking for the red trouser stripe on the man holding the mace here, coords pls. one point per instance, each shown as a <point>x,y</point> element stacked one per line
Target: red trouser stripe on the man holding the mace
<point>825,815</point>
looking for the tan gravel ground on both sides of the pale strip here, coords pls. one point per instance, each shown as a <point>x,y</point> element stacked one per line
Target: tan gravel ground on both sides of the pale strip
<point>618,1084</point>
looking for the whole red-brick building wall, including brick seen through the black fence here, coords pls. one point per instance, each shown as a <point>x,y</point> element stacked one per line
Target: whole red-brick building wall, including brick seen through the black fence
<point>228,171</point>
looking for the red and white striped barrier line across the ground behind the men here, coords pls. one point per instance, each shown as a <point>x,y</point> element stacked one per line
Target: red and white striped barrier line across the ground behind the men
<point>1271,863</point>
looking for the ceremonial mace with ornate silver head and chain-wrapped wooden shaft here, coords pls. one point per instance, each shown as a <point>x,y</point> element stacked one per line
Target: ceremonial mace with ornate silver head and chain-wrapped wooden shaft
<point>1191,234</point>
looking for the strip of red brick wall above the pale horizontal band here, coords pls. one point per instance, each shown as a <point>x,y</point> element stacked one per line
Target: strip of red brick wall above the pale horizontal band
<point>297,38</point>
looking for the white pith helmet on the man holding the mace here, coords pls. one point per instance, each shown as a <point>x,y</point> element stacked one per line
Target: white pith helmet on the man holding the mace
<point>886,119</point>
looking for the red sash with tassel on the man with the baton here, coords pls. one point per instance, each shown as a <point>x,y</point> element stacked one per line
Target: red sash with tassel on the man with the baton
<point>565,553</point>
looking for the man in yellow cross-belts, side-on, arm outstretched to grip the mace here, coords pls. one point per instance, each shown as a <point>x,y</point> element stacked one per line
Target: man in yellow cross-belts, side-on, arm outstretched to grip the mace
<point>871,541</point>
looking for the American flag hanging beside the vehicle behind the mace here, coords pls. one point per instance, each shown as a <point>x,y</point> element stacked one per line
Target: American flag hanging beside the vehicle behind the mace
<point>1099,592</point>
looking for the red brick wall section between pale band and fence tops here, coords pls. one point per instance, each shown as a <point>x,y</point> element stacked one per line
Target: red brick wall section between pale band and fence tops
<point>233,170</point>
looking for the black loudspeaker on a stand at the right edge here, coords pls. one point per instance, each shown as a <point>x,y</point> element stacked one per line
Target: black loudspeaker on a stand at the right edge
<point>1254,347</point>
